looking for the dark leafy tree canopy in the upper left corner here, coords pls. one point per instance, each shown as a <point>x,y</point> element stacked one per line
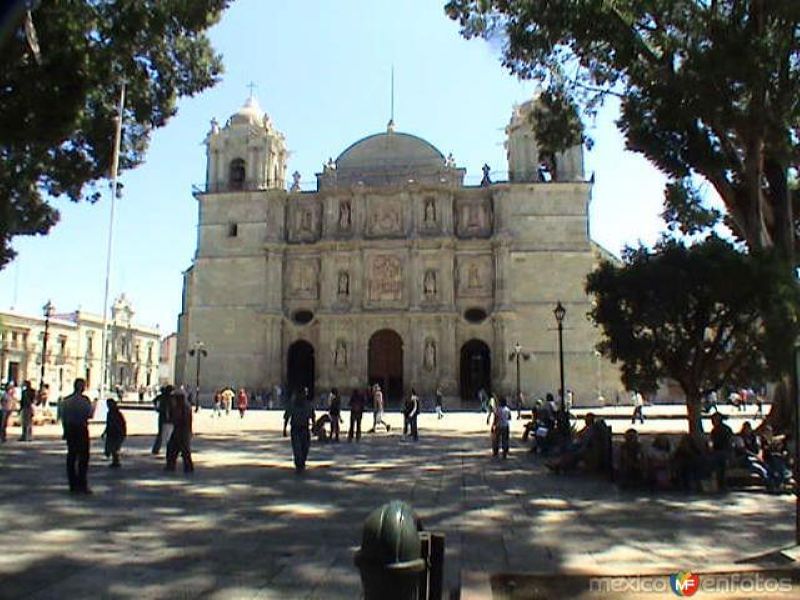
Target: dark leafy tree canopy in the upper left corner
<point>57,106</point>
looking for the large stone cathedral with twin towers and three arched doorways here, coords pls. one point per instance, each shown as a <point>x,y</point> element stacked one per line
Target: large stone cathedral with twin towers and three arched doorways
<point>392,271</point>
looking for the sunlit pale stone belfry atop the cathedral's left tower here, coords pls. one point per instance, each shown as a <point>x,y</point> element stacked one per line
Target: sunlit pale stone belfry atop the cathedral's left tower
<point>247,154</point>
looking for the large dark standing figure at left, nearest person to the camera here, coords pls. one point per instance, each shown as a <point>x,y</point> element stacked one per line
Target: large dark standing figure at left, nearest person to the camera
<point>75,415</point>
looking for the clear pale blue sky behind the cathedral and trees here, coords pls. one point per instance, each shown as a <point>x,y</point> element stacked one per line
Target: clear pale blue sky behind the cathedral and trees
<point>322,71</point>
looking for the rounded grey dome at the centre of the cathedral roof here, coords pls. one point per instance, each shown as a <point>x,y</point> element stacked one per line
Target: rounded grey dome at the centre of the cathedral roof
<point>391,151</point>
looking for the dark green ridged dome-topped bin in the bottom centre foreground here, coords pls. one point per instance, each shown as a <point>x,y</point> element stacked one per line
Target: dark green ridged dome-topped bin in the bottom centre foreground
<point>390,557</point>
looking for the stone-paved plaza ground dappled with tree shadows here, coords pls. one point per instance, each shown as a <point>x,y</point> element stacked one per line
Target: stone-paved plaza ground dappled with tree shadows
<point>245,526</point>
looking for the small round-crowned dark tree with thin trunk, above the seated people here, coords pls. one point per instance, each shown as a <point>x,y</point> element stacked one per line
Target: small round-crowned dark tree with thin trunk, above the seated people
<point>707,316</point>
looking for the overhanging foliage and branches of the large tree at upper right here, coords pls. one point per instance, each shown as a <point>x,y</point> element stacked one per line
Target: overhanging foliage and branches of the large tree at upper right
<point>709,88</point>
